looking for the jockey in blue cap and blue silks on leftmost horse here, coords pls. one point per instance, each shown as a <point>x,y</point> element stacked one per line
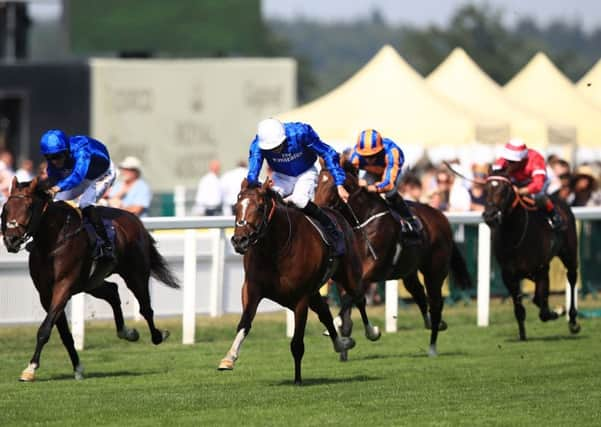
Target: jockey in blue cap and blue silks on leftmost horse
<point>80,166</point>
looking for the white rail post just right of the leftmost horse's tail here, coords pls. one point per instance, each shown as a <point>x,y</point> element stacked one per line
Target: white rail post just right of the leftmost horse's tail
<point>189,291</point>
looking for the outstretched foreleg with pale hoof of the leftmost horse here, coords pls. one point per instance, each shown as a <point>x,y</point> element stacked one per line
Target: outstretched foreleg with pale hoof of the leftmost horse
<point>60,296</point>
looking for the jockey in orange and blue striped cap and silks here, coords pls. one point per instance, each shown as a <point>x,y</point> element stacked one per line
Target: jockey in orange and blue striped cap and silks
<point>382,160</point>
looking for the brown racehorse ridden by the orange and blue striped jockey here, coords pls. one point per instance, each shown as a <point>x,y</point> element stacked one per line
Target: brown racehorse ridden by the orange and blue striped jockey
<point>384,255</point>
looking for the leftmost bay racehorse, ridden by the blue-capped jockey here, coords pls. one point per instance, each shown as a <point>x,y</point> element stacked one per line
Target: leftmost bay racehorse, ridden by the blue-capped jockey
<point>60,262</point>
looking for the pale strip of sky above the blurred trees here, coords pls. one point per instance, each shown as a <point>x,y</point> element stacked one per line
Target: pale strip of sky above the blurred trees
<point>424,12</point>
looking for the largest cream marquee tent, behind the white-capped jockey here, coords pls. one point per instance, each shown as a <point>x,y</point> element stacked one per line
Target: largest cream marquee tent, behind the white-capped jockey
<point>390,96</point>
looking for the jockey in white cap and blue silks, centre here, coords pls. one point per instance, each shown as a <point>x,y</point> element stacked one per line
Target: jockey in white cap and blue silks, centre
<point>291,150</point>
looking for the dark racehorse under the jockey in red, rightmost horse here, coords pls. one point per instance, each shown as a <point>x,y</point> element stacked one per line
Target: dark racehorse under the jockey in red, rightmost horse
<point>524,244</point>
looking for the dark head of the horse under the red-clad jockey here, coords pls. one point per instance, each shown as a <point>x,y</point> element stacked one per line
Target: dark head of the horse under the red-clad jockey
<point>501,198</point>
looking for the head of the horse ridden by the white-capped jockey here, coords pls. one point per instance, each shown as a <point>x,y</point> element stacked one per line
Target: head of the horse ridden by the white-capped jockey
<point>253,211</point>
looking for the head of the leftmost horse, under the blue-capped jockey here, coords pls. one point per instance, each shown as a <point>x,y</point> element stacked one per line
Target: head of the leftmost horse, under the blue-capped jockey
<point>22,212</point>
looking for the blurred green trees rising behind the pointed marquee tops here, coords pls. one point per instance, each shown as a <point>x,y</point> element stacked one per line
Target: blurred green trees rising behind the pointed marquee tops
<point>337,50</point>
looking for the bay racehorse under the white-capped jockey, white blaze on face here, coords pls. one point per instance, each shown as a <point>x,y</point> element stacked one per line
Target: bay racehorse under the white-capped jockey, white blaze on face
<point>287,261</point>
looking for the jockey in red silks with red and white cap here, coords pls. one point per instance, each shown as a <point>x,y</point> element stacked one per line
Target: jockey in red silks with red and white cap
<point>527,170</point>
